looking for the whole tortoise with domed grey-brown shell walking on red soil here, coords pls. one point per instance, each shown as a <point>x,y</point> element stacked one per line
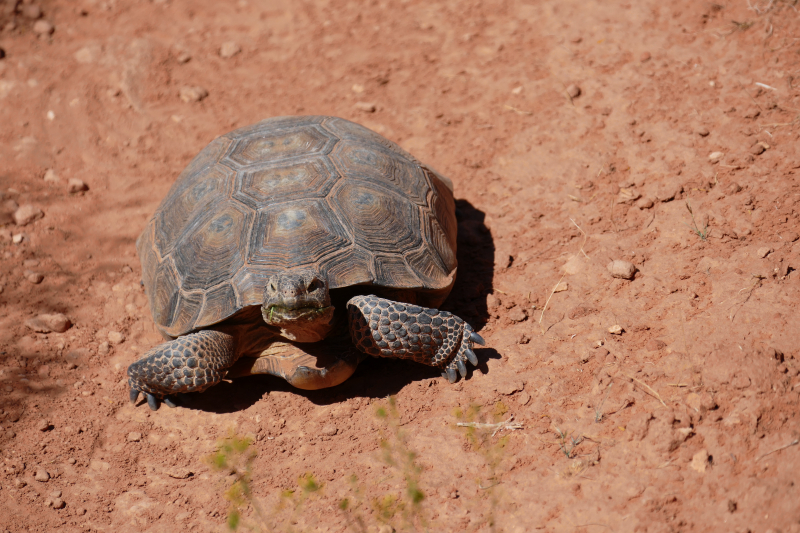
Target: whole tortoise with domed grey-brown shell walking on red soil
<point>296,247</point>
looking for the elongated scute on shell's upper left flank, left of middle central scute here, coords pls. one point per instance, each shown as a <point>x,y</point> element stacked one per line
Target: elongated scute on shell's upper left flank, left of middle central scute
<point>192,196</point>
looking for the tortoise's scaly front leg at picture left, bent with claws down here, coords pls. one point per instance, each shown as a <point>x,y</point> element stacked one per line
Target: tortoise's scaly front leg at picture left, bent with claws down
<point>191,363</point>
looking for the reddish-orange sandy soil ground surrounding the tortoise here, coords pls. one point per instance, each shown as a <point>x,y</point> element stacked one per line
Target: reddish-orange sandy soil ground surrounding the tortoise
<point>683,422</point>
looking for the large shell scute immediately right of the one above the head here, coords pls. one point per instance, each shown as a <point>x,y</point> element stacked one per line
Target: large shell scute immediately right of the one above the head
<point>379,220</point>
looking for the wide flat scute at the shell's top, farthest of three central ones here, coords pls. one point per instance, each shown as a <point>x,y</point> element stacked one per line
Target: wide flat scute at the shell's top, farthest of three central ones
<point>272,146</point>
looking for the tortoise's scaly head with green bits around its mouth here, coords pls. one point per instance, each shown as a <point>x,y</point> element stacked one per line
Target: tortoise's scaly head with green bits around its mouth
<point>298,302</point>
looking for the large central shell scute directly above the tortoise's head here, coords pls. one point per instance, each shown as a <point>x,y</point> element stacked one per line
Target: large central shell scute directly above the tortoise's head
<point>295,233</point>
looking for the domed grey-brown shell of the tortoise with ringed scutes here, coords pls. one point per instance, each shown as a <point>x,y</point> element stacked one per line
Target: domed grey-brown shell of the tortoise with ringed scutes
<point>293,192</point>
